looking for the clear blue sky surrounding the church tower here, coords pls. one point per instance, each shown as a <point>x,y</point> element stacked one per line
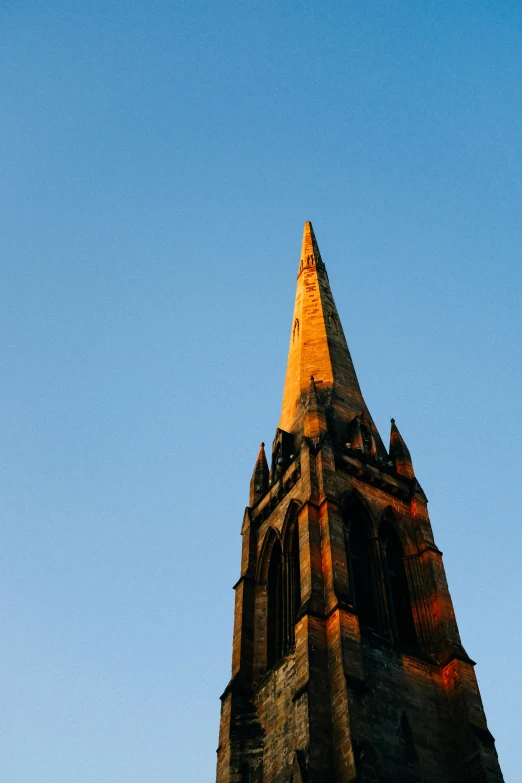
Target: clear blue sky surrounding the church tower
<point>158,162</point>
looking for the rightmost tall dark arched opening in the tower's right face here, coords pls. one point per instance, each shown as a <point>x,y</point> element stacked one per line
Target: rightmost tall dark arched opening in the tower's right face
<point>399,601</point>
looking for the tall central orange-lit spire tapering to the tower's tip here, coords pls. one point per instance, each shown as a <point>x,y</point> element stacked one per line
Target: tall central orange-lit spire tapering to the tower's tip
<point>318,347</point>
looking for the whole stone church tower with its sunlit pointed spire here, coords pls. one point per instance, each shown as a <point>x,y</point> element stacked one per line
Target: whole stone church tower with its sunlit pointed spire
<point>347,663</point>
